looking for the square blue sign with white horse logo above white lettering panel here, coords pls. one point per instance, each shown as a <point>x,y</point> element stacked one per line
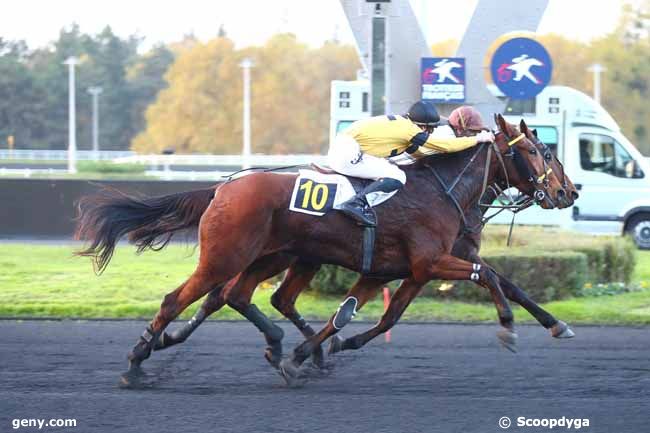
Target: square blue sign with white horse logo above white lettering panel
<point>443,79</point>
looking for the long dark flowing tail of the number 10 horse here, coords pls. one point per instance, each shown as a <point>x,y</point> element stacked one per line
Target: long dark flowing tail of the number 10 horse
<point>150,222</point>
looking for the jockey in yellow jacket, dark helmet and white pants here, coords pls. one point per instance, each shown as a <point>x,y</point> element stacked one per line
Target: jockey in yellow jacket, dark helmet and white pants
<point>362,149</point>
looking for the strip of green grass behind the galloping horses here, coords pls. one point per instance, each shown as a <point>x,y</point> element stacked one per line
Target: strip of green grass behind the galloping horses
<point>47,281</point>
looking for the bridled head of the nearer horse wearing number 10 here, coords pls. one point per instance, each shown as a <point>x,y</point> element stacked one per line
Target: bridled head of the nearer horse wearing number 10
<point>525,166</point>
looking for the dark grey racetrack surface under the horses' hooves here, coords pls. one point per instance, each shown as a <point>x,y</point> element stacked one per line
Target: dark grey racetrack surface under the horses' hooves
<point>430,378</point>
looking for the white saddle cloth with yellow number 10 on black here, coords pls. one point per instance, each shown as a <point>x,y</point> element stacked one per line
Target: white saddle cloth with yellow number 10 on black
<point>316,193</point>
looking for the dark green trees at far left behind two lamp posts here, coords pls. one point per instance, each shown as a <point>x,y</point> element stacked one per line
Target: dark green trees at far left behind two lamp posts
<point>35,88</point>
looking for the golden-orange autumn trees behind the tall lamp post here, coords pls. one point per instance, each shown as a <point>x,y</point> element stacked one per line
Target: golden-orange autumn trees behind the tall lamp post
<point>201,110</point>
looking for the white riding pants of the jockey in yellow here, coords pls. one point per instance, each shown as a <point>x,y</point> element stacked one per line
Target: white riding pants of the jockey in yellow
<point>343,157</point>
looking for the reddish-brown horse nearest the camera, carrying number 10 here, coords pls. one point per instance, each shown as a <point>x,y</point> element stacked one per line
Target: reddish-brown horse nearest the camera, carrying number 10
<point>248,221</point>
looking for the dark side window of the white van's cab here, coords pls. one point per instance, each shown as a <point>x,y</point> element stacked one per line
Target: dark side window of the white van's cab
<point>604,154</point>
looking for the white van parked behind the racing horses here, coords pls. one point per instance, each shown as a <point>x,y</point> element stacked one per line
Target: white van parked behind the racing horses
<point>613,178</point>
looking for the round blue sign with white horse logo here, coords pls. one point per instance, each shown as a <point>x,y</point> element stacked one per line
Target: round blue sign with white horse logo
<point>521,68</point>
